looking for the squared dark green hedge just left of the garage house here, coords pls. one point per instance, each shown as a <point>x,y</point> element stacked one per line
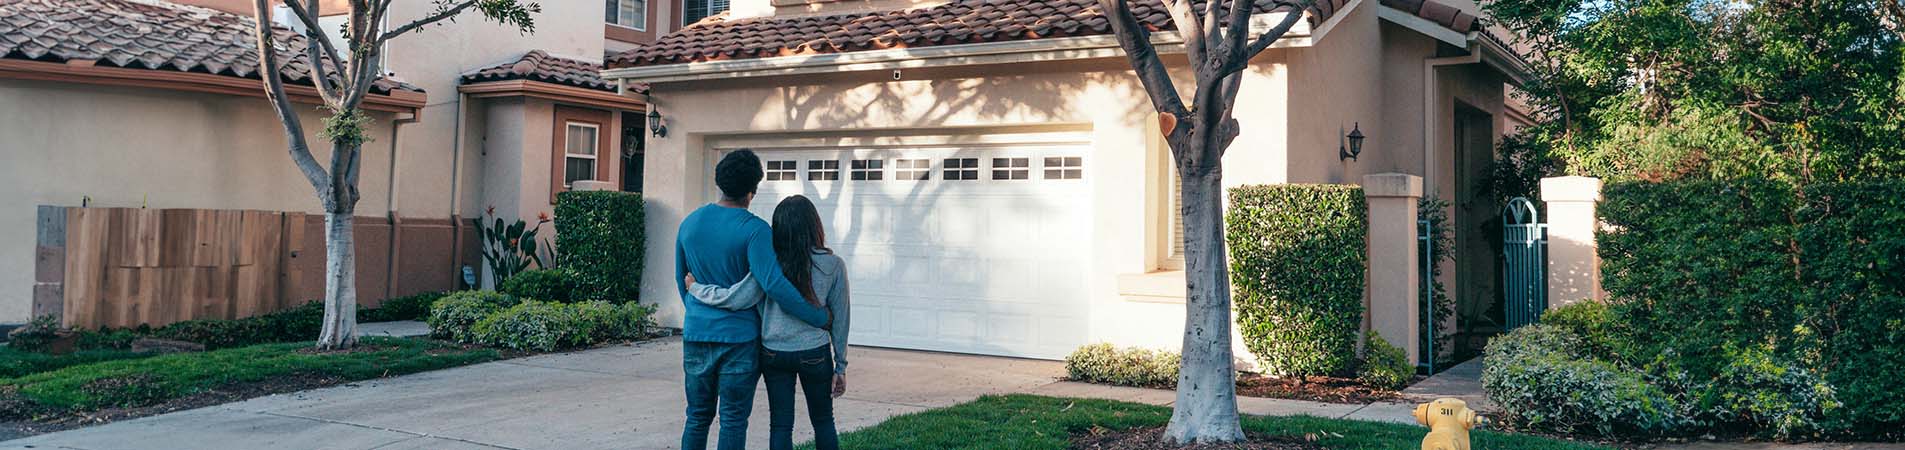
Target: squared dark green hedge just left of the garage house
<point>603,241</point>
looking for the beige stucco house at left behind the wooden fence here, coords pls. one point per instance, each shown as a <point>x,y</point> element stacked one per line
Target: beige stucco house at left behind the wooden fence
<point>150,104</point>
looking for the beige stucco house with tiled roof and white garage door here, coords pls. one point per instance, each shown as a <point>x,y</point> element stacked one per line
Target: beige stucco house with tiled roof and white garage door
<point>993,173</point>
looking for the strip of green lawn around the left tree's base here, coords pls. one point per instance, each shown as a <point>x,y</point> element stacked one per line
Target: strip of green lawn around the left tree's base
<point>140,382</point>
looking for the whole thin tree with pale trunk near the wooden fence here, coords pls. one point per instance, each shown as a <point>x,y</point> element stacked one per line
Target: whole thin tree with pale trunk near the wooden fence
<point>342,85</point>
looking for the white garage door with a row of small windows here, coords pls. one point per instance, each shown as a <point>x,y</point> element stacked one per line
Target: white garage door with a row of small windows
<point>969,251</point>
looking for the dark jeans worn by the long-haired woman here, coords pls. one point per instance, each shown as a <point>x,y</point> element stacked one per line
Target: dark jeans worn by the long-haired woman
<point>814,371</point>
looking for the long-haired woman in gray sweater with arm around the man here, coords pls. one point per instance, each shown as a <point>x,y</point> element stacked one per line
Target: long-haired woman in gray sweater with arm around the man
<point>792,350</point>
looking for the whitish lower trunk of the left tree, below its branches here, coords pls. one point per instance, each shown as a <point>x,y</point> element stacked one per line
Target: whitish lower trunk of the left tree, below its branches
<point>340,283</point>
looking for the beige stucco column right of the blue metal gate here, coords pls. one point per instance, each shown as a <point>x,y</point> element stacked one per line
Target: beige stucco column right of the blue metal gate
<point>1574,266</point>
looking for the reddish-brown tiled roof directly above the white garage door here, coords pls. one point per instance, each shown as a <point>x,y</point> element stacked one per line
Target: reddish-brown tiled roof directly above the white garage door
<point>961,22</point>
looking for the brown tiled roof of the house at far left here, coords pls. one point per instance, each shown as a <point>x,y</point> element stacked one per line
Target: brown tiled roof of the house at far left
<point>150,35</point>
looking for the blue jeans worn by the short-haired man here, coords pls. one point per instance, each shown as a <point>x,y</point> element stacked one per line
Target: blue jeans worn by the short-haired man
<point>719,375</point>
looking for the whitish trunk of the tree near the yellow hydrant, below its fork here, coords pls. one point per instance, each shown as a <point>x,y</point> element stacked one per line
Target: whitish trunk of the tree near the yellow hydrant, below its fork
<point>1207,382</point>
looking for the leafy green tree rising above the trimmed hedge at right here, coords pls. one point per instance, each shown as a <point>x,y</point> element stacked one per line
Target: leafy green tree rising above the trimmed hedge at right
<point>1795,91</point>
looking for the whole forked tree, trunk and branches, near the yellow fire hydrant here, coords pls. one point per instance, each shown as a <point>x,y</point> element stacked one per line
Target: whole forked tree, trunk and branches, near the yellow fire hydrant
<point>1218,49</point>
